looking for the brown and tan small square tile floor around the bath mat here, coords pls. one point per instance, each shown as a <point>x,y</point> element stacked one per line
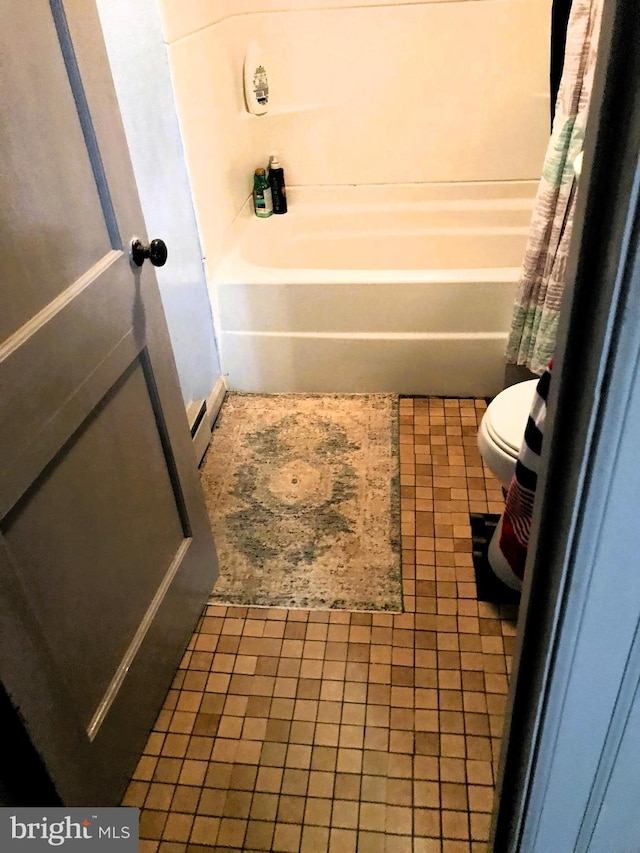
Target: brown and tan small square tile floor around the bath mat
<point>294,730</point>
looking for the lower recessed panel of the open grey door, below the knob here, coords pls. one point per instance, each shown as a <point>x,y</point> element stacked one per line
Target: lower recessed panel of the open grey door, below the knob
<point>110,493</point>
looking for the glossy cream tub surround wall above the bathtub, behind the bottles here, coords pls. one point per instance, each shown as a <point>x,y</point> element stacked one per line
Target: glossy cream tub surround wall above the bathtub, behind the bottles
<point>378,92</point>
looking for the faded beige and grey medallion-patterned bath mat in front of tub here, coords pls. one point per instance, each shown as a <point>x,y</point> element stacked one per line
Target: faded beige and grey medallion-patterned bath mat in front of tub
<point>303,496</point>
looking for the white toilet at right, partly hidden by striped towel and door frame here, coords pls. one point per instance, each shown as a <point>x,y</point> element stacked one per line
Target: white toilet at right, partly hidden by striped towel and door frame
<point>500,437</point>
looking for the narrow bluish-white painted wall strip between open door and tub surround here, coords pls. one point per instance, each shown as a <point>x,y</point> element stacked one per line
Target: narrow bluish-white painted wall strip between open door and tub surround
<point>140,68</point>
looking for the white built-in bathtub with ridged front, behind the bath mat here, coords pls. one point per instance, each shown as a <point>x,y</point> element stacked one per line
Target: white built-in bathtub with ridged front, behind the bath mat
<point>405,289</point>
